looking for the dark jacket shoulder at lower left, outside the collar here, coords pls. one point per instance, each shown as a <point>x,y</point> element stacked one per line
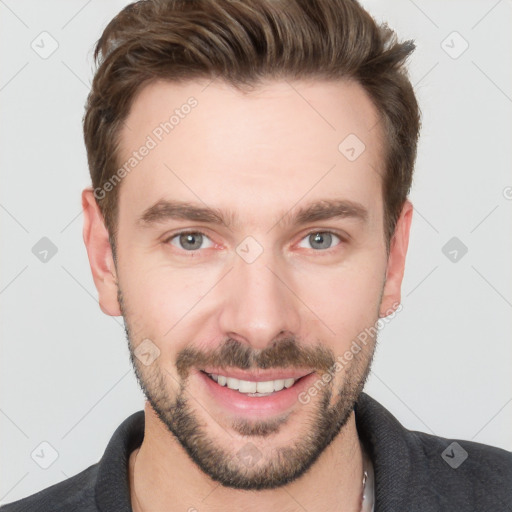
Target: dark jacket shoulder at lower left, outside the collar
<point>73,494</point>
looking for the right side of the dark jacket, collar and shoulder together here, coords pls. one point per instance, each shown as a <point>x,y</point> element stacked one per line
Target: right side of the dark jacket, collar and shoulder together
<point>419,471</point>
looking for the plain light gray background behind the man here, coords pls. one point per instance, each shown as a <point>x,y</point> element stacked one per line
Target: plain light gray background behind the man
<point>442,365</point>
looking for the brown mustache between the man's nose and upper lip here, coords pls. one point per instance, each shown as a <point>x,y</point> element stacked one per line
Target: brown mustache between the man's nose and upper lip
<point>285,353</point>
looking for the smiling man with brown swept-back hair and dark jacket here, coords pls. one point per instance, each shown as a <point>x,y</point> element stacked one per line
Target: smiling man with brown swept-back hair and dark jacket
<point>249,219</point>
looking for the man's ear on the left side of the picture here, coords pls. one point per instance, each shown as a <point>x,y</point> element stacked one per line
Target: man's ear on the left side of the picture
<point>100,254</point>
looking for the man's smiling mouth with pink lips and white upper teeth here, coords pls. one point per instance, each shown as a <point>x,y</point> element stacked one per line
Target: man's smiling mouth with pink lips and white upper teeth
<point>256,393</point>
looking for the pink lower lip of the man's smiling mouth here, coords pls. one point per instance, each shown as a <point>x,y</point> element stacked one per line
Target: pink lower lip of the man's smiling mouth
<point>256,406</point>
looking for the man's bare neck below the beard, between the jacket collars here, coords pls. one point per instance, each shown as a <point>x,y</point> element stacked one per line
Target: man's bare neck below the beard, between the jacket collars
<point>163,477</point>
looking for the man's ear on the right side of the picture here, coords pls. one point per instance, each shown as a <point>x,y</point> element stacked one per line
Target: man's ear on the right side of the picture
<point>391,296</point>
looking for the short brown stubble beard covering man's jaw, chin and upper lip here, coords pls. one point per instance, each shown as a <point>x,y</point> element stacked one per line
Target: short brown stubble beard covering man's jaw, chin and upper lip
<point>246,467</point>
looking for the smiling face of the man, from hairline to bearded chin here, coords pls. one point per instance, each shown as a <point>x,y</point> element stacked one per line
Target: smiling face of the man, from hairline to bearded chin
<point>250,256</point>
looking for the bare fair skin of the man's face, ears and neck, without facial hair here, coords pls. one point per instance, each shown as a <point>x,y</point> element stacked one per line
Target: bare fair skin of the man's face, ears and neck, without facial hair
<point>260,154</point>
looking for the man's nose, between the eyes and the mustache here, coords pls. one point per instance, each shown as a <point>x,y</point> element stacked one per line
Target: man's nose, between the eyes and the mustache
<point>259,303</point>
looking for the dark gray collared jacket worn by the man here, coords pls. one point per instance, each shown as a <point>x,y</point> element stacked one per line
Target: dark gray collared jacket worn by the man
<point>414,471</point>
